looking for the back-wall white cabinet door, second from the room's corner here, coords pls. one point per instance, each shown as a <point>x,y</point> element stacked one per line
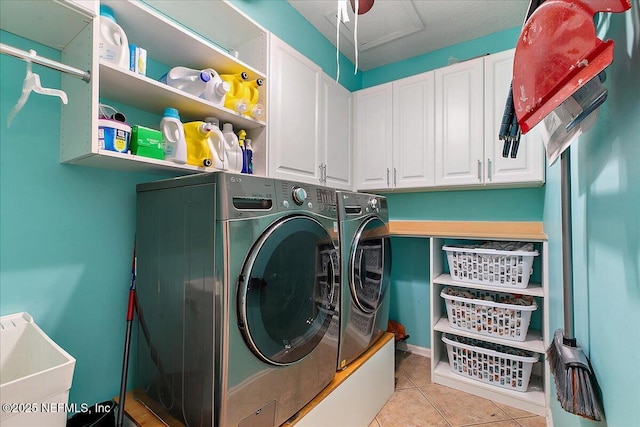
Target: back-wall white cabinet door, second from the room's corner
<point>413,131</point>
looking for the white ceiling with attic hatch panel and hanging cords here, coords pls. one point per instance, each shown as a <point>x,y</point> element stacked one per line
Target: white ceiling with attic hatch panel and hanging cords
<point>394,30</point>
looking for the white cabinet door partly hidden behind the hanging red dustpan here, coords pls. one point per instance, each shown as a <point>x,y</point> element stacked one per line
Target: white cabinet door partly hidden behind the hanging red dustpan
<point>528,166</point>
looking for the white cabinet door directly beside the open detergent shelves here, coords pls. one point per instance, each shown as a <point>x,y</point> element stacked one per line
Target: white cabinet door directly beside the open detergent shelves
<point>294,84</point>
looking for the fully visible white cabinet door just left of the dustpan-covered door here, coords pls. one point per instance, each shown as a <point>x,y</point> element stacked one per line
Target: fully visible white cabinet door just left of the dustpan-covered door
<point>459,124</point>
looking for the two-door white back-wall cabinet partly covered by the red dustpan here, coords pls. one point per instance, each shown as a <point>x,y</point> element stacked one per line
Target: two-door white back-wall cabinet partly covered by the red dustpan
<point>470,102</point>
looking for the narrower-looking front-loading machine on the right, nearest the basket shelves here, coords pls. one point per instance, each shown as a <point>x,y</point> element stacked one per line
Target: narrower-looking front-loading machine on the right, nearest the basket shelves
<point>365,256</point>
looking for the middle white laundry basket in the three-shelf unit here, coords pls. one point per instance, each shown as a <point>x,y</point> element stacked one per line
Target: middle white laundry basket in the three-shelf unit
<point>495,314</point>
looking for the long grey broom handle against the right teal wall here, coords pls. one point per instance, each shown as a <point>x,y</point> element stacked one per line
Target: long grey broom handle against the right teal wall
<point>567,244</point>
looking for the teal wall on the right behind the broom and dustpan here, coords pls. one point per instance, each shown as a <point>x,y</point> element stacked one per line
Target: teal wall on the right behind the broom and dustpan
<point>606,232</point>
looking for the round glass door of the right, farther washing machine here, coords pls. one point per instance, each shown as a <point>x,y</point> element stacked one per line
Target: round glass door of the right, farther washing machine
<point>370,264</point>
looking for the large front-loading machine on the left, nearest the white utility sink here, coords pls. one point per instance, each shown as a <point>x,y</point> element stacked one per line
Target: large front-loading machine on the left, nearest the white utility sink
<point>238,283</point>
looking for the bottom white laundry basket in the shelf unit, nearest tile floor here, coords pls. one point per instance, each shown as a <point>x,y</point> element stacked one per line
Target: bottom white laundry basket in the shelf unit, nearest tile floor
<point>490,363</point>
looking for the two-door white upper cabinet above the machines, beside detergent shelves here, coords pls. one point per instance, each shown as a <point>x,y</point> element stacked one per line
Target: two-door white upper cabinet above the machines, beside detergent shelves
<point>310,121</point>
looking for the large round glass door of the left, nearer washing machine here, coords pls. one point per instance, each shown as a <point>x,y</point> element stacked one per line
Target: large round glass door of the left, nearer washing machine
<point>288,290</point>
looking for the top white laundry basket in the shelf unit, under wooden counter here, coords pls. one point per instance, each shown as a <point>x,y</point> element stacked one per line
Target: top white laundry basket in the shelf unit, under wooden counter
<point>503,264</point>
